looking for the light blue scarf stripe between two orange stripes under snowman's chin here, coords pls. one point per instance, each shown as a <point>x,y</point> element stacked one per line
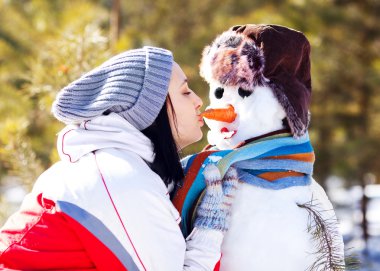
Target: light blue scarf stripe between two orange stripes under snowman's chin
<point>274,164</point>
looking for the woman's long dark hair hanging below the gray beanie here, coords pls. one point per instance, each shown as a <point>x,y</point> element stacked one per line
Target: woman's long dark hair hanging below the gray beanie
<point>167,160</point>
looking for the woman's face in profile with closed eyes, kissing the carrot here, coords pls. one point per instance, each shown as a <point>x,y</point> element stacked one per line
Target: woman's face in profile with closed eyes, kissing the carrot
<point>186,105</point>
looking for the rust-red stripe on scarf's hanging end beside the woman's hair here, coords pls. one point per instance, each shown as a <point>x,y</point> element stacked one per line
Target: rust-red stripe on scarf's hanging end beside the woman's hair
<point>179,199</point>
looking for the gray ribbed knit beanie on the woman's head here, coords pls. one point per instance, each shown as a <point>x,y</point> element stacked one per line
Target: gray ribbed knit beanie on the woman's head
<point>133,84</point>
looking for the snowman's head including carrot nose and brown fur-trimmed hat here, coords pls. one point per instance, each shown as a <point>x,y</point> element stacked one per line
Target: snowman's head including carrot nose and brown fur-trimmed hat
<point>259,78</point>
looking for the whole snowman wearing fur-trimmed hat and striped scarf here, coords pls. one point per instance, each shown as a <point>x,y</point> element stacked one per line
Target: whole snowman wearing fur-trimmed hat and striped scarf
<point>260,88</point>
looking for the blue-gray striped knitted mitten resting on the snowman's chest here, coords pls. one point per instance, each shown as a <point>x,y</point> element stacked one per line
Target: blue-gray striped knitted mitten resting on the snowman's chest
<point>214,210</point>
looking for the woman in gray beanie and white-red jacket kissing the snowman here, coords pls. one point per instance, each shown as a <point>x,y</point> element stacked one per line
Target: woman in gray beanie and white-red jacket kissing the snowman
<point>105,205</point>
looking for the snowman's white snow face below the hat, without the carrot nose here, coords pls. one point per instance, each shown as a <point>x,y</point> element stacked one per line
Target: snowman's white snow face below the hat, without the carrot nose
<point>257,112</point>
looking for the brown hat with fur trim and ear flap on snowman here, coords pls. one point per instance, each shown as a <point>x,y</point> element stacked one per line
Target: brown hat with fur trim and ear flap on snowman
<point>264,55</point>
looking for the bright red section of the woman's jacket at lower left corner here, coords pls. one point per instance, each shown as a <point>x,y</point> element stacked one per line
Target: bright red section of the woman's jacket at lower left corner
<point>38,237</point>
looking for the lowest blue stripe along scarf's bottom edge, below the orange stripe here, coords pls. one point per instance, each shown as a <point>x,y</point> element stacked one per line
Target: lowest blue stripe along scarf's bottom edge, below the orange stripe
<point>275,185</point>
